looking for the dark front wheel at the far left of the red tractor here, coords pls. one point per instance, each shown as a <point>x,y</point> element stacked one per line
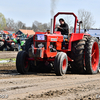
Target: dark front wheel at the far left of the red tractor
<point>22,64</point>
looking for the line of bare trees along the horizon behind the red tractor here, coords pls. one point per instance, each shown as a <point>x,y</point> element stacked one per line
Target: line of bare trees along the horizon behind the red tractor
<point>9,24</point>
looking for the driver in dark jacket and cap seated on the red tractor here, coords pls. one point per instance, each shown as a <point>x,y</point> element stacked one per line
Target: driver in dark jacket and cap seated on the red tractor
<point>64,29</point>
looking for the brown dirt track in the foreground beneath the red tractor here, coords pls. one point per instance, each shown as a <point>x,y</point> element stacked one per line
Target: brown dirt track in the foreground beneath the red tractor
<point>47,86</point>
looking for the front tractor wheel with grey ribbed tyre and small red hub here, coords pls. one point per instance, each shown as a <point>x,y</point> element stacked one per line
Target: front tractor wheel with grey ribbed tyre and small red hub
<point>61,64</point>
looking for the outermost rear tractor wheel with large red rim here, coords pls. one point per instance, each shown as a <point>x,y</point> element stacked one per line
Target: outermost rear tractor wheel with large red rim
<point>92,55</point>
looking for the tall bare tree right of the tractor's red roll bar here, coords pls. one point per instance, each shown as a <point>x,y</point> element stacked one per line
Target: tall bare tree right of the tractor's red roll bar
<point>86,18</point>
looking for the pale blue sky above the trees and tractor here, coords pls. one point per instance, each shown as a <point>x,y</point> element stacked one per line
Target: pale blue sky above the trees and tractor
<point>29,11</point>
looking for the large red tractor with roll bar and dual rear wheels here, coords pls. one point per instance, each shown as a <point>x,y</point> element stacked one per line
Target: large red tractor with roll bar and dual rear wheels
<point>81,52</point>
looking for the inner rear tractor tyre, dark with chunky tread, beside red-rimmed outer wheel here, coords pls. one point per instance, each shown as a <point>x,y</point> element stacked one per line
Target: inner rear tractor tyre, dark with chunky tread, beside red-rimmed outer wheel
<point>77,55</point>
